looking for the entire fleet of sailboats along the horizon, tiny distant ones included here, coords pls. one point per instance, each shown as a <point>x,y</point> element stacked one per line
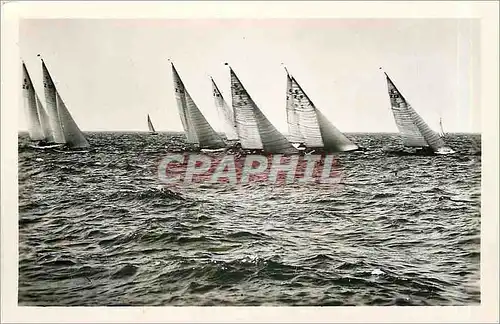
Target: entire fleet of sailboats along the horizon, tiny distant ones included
<point>244,122</point>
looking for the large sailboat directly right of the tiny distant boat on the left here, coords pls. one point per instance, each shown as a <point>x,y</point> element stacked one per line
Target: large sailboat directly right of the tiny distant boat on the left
<point>198,131</point>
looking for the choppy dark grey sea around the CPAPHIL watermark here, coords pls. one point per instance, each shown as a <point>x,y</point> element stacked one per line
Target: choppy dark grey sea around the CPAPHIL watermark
<point>96,228</point>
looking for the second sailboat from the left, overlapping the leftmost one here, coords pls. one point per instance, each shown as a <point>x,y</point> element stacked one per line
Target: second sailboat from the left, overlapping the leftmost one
<point>64,129</point>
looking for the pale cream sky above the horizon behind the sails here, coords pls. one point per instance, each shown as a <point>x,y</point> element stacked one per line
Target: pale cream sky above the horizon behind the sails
<point>111,73</point>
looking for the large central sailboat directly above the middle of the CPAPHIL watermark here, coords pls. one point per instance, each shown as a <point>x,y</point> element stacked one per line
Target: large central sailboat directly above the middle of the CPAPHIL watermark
<point>255,131</point>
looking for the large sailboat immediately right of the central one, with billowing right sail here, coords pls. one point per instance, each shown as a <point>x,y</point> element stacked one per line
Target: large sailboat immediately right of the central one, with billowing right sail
<point>307,124</point>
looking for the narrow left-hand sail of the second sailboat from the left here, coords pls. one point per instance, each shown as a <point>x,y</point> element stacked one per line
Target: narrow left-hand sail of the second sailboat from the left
<point>51,105</point>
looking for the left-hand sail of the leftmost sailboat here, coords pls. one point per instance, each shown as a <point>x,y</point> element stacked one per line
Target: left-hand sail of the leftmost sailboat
<point>31,108</point>
